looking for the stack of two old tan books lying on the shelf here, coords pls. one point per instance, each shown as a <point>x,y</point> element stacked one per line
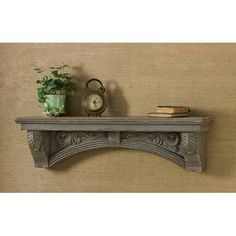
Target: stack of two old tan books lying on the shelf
<point>170,111</point>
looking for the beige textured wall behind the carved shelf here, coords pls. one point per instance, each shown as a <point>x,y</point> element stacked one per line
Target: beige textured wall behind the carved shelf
<point>139,76</point>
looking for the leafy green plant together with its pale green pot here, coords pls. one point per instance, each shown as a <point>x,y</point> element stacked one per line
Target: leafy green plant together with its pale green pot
<point>55,84</point>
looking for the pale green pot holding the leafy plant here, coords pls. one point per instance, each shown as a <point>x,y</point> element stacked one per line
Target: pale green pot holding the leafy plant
<point>54,105</point>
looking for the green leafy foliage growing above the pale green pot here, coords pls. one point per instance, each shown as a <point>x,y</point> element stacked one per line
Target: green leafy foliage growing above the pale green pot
<point>54,80</point>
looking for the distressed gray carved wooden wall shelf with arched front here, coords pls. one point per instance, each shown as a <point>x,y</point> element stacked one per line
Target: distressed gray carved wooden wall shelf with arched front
<point>179,140</point>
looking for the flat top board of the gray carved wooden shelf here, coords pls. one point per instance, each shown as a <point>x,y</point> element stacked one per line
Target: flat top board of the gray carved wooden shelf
<point>191,120</point>
